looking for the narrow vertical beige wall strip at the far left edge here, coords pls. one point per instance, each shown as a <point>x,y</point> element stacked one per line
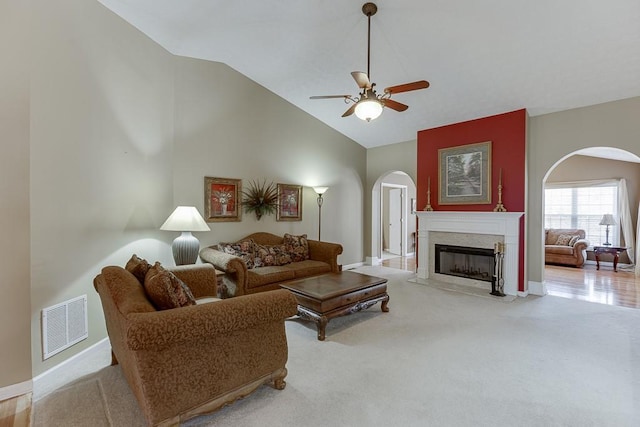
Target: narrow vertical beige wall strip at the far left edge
<point>14,193</point>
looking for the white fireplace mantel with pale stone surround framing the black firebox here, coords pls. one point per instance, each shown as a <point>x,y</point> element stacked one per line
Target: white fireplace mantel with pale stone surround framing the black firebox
<point>473,229</point>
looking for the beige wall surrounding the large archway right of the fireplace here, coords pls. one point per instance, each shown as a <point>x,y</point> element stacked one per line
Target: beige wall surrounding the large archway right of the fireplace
<point>552,137</point>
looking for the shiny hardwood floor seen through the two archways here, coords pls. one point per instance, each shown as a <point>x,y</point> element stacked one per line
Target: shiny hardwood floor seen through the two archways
<point>603,286</point>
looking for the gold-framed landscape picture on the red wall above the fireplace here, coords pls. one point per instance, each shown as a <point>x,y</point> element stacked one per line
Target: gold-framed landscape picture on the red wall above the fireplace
<point>464,174</point>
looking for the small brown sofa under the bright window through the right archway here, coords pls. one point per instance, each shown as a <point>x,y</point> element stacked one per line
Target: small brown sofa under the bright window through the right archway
<point>565,246</point>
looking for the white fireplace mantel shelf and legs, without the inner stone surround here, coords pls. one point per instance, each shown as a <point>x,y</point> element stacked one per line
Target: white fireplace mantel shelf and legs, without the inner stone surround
<point>505,224</point>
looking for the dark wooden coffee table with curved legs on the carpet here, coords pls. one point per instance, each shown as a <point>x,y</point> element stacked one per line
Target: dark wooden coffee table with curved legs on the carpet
<point>322,298</point>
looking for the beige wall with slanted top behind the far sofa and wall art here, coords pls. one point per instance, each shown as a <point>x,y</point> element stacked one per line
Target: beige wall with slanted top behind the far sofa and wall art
<point>228,126</point>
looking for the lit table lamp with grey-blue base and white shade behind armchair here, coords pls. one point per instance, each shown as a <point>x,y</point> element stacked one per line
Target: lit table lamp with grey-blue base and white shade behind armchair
<point>186,246</point>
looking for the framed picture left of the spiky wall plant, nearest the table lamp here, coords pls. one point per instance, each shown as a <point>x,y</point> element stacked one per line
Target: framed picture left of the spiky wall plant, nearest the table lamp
<point>222,199</point>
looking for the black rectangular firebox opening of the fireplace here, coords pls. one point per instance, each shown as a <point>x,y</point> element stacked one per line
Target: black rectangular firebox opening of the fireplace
<point>467,262</point>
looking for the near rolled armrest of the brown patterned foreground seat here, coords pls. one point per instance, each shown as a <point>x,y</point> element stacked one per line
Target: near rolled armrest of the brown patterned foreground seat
<point>167,328</point>
